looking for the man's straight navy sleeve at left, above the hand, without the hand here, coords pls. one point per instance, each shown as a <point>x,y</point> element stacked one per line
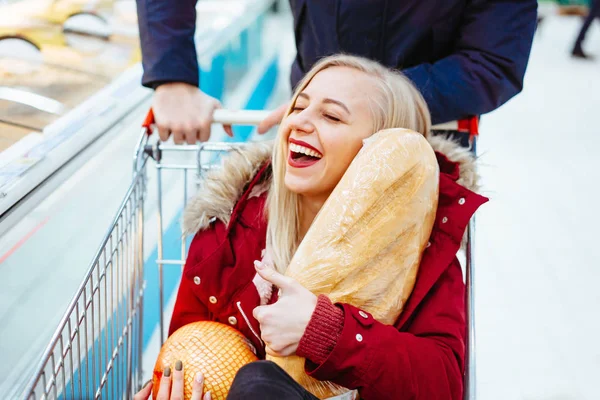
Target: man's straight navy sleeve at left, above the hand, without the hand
<point>167,29</point>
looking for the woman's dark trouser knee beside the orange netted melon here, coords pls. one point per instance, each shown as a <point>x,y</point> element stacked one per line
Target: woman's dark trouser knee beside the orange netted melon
<point>265,380</point>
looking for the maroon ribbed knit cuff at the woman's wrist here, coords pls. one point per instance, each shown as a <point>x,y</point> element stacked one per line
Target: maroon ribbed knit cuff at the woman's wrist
<point>322,332</point>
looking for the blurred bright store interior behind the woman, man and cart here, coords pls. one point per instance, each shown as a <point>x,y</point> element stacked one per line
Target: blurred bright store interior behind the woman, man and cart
<point>71,105</point>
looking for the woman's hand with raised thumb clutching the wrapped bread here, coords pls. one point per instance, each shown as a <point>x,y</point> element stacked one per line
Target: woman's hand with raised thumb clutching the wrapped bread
<point>283,324</point>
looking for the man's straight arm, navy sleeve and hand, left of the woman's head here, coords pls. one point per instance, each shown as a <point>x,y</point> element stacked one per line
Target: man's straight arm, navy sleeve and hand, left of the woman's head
<point>181,109</point>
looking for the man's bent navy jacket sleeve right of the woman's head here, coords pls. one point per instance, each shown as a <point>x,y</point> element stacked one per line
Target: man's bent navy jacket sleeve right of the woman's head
<point>487,65</point>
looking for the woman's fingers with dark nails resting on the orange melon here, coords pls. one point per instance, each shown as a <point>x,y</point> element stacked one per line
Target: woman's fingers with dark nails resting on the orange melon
<point>171,388</point>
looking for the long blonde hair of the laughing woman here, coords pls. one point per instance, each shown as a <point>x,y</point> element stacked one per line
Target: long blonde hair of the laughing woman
<point>396,104</point>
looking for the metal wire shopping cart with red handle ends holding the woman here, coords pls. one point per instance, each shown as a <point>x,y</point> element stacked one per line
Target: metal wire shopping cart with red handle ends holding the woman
<point>96,351</point>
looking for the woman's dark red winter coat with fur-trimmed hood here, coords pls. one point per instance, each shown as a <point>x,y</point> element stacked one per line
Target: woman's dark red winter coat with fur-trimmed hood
<point>420,357</point>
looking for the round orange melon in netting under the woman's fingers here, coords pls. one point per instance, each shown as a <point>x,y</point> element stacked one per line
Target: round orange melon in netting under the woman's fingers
<point>216,350</point>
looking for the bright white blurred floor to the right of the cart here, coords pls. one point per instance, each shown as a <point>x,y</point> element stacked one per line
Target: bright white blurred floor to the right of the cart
<point>538,268</point>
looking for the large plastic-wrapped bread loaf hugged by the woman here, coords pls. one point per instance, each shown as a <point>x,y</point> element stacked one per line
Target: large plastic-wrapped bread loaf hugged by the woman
<point>365,245</point>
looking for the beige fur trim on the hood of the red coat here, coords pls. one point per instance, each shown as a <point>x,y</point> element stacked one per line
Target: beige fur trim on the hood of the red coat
<point>221,188</point>
